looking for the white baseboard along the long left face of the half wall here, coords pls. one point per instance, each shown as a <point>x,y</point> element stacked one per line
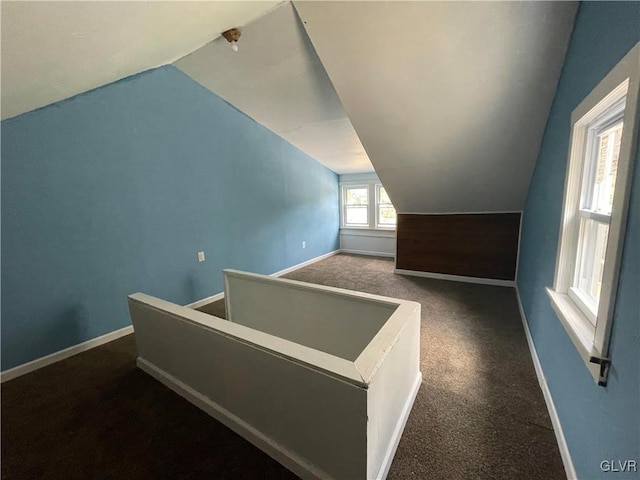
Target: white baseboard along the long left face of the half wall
<point>286,457</point>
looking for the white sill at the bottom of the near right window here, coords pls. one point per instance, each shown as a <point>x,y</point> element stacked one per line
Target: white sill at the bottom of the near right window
<point>577,326</point>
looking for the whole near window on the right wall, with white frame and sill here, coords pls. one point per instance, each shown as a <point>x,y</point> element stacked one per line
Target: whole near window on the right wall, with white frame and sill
<point>596,199</point>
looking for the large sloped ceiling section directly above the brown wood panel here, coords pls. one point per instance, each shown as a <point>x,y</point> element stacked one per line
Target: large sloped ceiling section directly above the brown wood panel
<point>449,99</point>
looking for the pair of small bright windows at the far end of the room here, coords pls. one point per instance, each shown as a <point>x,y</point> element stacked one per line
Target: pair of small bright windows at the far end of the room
<point>365,205</point>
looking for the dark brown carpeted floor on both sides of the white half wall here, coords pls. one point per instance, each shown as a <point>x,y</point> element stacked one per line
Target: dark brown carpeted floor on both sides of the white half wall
<point>479,414</point>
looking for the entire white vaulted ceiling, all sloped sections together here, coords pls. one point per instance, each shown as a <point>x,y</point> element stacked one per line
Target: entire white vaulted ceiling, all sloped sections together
<point>449,99</point>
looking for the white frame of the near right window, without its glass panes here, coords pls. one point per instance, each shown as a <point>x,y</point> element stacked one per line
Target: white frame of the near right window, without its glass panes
<point>591,335</point>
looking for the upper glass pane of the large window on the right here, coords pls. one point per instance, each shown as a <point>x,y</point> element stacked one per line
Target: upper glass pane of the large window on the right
<point>606,168</point>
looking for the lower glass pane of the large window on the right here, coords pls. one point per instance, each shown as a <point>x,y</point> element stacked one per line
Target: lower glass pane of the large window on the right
<point>592,247</point>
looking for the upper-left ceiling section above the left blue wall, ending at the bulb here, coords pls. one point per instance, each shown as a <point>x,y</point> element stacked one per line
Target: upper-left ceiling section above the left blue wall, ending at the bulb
<point>54,50</point>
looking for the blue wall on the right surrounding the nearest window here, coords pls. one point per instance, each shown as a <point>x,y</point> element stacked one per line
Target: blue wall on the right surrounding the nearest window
<point>599,423</point>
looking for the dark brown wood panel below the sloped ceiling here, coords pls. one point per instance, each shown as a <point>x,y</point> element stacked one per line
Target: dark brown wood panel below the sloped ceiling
<point>474,245</point>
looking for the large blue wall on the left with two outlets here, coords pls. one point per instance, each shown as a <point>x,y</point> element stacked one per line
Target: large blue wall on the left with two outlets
<point>116,190</point>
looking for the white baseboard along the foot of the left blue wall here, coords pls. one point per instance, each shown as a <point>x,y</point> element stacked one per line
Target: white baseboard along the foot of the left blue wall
<point>54,357</point>
